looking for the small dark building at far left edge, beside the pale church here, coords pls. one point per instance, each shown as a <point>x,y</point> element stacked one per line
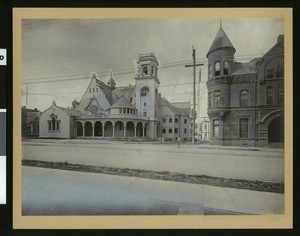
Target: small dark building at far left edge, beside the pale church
<point>30,122</point>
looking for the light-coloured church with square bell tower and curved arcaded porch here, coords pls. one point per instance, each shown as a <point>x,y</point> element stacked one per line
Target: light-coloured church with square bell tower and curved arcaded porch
<point>106,110</point>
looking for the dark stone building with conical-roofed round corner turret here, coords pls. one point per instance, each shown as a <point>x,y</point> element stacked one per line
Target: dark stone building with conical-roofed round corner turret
<point>245,100</point>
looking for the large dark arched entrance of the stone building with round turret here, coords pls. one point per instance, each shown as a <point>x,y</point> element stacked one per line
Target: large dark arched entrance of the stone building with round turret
<point>276,130</point>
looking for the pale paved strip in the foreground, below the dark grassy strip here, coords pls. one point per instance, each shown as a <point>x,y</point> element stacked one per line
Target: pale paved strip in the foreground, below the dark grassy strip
<point>59,192</point>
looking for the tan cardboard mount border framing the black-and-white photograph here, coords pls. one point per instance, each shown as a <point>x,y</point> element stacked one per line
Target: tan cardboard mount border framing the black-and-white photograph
<point>151,222</point>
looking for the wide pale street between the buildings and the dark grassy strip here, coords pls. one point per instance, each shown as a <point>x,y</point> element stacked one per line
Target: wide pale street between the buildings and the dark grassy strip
<point>230,162</point>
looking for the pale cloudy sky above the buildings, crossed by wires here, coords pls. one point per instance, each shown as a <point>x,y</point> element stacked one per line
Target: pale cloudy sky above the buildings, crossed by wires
<point>60,55</point>
